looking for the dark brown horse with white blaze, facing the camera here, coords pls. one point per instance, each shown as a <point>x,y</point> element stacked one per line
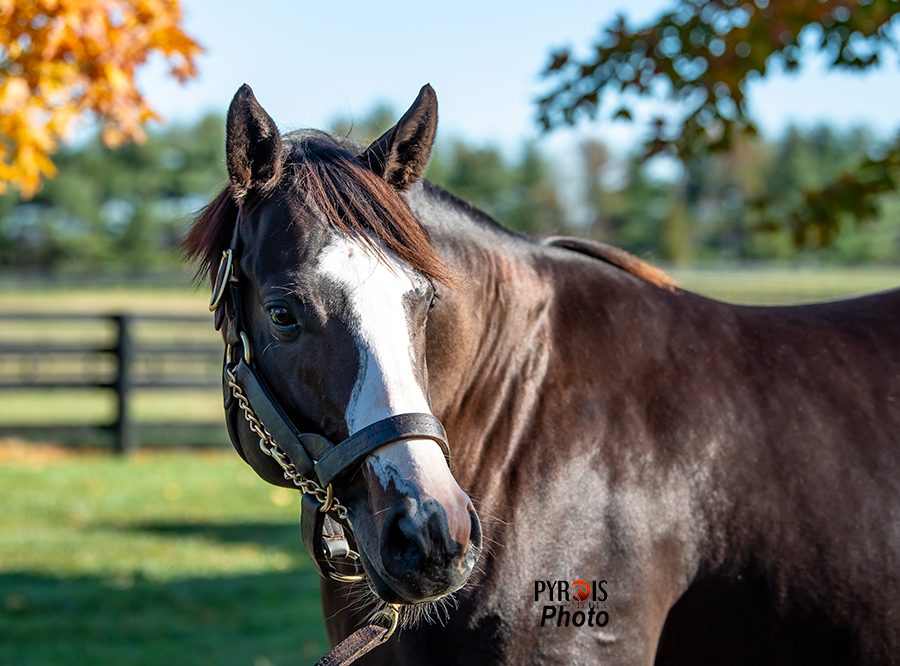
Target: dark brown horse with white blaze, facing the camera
<point>636,474</point>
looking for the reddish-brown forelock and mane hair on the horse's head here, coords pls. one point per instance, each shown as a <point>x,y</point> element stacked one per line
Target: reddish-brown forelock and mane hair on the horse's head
<point>351,198</point>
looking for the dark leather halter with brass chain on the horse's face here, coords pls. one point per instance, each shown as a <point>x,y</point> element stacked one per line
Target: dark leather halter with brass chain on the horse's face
<point>310,460</point>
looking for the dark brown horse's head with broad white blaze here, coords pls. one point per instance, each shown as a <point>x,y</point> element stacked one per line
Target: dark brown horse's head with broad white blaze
<point>334,282</point>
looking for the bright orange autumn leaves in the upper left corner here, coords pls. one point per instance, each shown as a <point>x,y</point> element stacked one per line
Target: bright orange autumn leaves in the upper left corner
<point>66,59</point>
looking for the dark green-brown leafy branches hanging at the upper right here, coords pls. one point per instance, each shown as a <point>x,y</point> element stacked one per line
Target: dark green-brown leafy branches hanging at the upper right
<point>702,54</point>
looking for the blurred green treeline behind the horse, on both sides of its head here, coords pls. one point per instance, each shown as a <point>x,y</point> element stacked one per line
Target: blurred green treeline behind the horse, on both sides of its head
<point>127,209</point>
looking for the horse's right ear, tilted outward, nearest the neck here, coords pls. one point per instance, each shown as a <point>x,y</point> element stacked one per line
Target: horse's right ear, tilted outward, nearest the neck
<point>401,154</point>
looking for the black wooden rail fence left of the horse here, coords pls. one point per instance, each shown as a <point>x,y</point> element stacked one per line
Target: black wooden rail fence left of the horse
<point>116,352</point>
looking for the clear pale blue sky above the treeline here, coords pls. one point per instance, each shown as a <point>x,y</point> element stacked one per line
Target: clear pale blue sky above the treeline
<point>310,61</point>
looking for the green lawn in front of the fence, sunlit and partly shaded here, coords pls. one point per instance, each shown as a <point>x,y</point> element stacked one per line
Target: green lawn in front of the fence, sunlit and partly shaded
<point>161,559</point>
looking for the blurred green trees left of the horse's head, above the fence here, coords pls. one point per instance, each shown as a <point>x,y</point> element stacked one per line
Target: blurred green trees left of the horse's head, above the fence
<point>121,209</point>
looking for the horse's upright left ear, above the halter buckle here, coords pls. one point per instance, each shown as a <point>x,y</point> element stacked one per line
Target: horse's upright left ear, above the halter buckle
<point>252,144</point>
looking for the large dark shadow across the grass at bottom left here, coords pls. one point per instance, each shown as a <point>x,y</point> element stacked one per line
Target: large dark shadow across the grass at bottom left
<point>258,620</point>
